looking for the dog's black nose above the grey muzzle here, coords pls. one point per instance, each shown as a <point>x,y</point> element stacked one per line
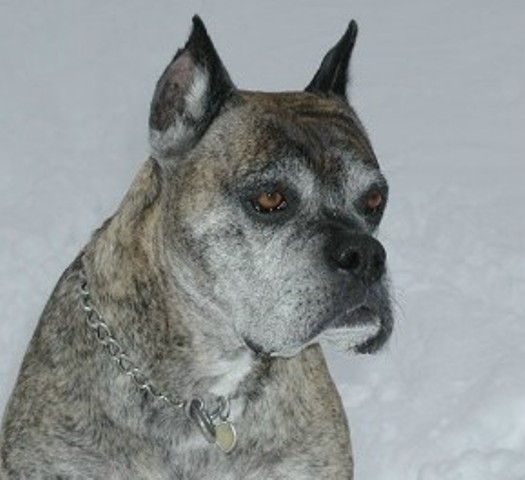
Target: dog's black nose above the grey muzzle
<point>359,254</point>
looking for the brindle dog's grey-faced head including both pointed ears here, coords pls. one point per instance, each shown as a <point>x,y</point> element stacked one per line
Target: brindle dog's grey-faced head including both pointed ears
<point>270,202</point>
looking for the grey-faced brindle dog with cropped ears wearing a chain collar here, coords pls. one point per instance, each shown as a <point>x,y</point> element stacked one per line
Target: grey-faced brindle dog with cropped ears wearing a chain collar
<point>183,341</point>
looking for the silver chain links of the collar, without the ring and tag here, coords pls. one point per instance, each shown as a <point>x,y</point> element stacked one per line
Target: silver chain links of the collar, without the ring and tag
<point>104,335</point>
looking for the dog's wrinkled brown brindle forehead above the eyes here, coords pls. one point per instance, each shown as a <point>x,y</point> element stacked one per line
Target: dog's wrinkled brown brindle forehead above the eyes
<point>323,132</point>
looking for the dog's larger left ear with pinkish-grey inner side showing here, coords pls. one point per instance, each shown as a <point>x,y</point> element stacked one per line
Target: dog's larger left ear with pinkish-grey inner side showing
<point>188,95</point>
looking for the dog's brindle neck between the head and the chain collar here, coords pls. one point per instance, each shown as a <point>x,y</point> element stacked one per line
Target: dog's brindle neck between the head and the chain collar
<point>185,349</point>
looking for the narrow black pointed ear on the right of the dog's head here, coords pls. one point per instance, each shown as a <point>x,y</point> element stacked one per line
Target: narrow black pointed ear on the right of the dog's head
<point>332,76</point>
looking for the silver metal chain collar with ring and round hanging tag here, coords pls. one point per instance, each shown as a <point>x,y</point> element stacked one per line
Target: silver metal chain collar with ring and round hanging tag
<point>214,425</point>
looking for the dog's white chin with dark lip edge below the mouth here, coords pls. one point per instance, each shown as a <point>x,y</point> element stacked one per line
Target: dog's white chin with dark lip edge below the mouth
<point>361,330</point>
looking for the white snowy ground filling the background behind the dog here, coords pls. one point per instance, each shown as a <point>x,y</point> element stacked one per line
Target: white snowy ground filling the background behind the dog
<point>440,86</point>
